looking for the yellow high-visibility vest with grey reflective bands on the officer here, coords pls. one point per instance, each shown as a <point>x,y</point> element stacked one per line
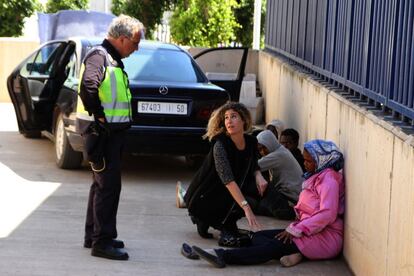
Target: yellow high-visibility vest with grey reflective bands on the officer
<point>114,94</point>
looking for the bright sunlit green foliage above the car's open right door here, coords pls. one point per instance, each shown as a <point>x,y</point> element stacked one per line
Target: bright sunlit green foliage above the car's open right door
<point>206,23</point>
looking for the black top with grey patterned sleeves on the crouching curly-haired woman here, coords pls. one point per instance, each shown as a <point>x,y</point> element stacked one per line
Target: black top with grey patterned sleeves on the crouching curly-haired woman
<point>207,197</point>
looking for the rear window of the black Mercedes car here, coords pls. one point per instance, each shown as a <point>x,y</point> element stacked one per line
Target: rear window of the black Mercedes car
<point>160,65</point>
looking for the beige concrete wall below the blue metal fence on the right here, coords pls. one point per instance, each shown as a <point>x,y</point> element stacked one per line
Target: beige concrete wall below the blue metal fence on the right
<point>379,167</point>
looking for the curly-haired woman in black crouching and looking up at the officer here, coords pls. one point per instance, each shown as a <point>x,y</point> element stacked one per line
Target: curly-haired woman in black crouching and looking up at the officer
<point>229,178</point>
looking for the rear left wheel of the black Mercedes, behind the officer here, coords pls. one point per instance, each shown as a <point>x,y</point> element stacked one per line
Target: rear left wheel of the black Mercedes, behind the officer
<point>66,157</point>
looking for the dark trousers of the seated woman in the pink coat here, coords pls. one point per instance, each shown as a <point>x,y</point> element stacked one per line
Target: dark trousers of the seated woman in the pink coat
<point>265,247</point>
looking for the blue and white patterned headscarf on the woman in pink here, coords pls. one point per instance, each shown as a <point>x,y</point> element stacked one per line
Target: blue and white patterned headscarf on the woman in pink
<point>326,155</point>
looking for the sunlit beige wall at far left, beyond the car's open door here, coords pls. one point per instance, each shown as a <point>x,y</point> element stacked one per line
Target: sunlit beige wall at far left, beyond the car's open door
<point>12,51</point>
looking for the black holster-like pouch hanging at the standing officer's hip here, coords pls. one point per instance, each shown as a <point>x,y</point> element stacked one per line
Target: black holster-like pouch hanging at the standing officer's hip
<point>95,141</point>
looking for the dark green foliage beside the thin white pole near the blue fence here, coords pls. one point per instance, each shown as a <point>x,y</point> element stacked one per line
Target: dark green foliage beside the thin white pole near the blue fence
<point>244,16</point>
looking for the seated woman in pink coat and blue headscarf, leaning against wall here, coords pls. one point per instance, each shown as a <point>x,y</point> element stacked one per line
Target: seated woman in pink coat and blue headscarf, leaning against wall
<point>318,231</point>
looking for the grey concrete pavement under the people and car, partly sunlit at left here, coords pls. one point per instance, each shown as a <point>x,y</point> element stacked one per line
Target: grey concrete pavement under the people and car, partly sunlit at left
<point>42,212</point>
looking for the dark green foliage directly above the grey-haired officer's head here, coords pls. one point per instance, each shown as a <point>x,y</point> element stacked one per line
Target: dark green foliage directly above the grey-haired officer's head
<point>149,12</point>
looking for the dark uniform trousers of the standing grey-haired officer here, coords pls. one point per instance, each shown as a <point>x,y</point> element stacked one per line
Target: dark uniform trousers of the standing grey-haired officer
<point>104,194</point>
